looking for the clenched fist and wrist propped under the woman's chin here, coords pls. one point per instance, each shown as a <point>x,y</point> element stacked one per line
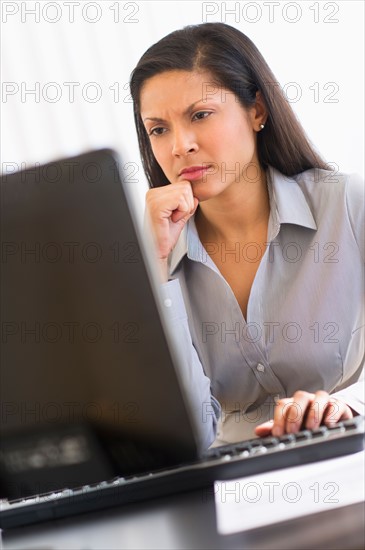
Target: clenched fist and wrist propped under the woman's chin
<point>168,208</point>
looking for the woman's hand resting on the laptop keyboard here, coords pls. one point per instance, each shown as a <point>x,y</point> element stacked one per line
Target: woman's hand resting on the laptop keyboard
<point>304,410</point>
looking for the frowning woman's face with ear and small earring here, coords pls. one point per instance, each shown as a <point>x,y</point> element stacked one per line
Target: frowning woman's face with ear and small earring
<point>200,132</point>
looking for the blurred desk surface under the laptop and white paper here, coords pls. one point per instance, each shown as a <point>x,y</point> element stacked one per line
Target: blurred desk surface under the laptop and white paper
<point>188,521</point>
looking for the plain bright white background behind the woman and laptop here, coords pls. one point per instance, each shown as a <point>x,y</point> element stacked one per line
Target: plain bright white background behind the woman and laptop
<point>65,68</point>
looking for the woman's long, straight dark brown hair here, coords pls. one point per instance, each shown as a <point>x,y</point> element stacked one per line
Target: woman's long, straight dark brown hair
<point>237,65</point>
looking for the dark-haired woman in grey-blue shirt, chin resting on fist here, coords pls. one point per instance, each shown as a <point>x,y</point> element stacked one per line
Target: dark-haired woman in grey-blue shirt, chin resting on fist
<point>259,244</point>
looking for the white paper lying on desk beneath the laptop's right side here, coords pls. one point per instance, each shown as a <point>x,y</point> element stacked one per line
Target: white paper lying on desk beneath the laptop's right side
<point>271,497</point>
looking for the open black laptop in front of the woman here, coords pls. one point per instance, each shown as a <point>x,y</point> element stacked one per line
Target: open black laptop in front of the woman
<point>93,409</point>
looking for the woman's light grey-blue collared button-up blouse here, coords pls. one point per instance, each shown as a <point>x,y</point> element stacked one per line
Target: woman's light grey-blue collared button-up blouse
<point>305,318</point>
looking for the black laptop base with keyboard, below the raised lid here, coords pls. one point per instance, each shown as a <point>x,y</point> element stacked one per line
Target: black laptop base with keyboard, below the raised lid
<point>220,463</point>
